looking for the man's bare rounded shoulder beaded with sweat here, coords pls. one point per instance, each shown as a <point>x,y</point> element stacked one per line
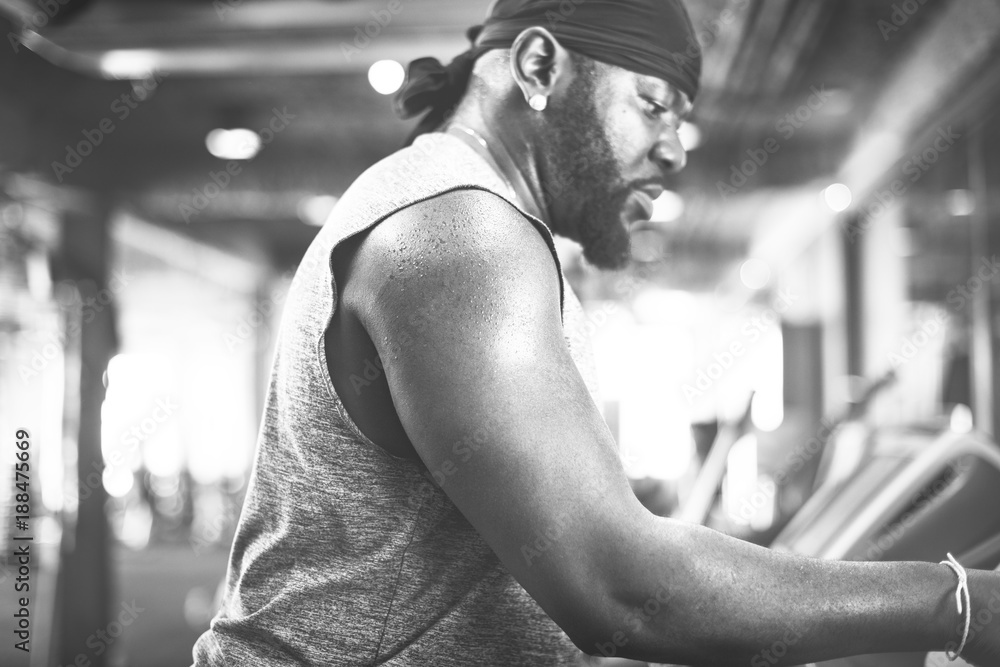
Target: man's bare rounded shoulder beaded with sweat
<point>462,246</point>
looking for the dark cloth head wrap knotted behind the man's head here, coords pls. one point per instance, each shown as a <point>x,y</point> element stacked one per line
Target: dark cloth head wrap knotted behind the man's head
<point>653,37</point>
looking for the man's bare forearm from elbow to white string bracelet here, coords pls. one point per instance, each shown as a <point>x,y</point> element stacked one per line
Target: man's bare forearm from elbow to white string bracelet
<point>708,599</point>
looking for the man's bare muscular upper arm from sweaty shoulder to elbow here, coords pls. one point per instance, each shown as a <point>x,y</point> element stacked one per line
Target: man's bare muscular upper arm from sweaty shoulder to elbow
<point>463,305</point>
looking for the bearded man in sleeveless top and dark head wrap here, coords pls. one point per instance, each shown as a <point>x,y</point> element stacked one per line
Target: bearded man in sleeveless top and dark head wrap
<point>434,484</point>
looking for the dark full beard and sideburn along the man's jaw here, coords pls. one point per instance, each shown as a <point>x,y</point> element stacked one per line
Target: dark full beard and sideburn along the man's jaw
<point>583,175</point>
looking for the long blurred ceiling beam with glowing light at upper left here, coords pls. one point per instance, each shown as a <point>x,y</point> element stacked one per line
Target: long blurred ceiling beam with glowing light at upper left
<point>242,38</point>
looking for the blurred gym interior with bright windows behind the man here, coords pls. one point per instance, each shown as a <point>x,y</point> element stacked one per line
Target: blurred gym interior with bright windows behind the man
<point>827,264</point>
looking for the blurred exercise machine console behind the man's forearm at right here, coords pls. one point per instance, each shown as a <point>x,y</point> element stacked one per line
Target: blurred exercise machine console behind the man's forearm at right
<point>921,494</point>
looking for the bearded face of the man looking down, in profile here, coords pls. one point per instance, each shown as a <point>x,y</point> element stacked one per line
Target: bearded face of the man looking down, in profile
<point>608,144</point>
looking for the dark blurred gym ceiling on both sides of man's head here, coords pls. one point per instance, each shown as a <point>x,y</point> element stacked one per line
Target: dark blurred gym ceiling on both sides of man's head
<point>239,62</point>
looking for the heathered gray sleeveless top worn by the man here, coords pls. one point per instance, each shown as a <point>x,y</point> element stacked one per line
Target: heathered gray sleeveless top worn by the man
<point>344,554</point>
